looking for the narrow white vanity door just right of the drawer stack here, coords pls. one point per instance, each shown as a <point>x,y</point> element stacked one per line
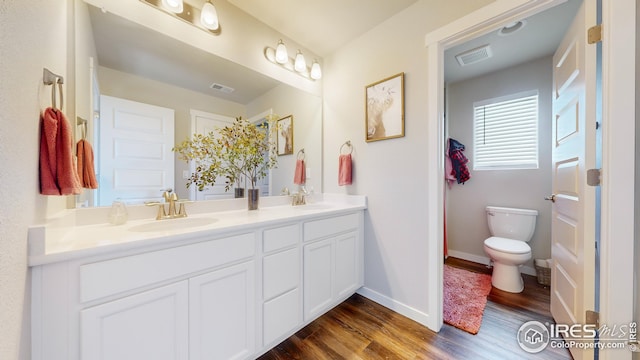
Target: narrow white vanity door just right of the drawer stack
<point>318,277</point>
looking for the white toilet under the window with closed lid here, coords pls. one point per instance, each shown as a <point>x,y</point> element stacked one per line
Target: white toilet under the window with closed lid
<point>511,230</point>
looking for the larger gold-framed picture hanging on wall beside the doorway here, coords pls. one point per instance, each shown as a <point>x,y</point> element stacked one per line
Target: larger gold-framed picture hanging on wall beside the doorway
<point>384,102</point>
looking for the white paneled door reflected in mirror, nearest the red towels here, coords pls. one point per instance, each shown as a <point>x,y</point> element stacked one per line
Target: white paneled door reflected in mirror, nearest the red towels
<point>136,157</point>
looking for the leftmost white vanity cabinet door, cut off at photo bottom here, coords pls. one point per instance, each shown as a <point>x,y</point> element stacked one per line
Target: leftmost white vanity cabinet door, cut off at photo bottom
<point>149,325</point>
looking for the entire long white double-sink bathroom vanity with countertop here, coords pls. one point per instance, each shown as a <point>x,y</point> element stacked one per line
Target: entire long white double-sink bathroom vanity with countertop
<point>215,285</point>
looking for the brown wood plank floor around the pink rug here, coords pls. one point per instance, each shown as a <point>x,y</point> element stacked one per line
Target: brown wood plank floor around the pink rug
<point>362,329</point>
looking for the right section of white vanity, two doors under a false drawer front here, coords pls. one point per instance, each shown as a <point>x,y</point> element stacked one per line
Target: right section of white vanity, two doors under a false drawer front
<point>333,262</point>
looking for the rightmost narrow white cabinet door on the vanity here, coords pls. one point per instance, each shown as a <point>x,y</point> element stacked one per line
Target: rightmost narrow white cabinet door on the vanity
<point>347,264</point>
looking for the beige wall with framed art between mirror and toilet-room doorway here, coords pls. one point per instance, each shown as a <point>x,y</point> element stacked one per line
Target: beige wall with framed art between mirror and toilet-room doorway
<point>392,173</point>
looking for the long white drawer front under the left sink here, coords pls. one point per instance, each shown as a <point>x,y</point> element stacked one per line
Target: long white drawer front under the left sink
<point>114,276</point>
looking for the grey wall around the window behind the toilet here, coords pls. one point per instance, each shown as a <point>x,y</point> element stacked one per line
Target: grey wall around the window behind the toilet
<point>466,220</point>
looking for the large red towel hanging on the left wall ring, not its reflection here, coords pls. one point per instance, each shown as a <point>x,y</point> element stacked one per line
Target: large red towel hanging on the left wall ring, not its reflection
<point>58,174</point>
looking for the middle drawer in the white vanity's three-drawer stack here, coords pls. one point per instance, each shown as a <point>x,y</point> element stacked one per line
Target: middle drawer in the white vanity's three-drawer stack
<point>281,272</point>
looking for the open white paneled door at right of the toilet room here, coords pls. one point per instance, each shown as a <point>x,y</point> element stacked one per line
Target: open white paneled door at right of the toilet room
<point>573,215</point>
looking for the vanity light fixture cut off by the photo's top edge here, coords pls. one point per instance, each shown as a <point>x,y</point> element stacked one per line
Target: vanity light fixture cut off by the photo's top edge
<point>205,19</point>
